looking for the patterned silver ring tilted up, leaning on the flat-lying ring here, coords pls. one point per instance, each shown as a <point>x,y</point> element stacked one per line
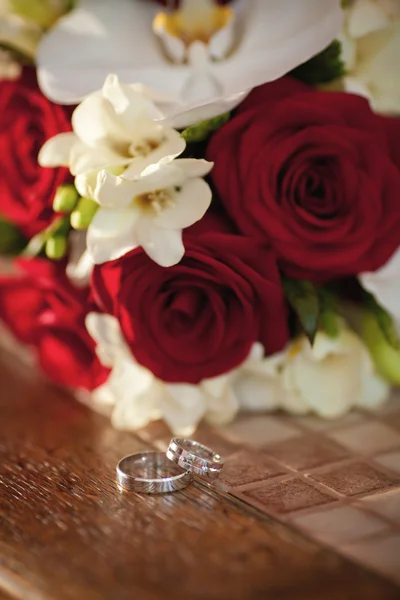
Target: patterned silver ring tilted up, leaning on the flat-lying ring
<point>195,457</point>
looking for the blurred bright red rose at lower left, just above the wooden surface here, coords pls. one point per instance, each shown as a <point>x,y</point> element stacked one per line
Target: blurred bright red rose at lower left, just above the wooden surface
<point>43,310</point>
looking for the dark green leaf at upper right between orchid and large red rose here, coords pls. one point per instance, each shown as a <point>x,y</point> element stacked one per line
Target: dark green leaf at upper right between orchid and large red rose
<point>322,68</point>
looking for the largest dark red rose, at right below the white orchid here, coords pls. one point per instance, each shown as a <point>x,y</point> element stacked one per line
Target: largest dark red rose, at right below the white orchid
<point>315,174</point>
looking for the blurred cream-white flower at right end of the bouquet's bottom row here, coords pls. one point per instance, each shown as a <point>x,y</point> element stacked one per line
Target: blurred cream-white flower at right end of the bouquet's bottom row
<point>331,377</point>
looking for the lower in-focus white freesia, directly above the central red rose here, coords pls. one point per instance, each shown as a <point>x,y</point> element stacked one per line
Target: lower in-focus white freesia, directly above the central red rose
<point>149,211</point>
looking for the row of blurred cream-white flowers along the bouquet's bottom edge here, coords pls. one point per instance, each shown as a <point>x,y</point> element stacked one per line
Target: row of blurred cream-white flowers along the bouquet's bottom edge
<point>327,379</point>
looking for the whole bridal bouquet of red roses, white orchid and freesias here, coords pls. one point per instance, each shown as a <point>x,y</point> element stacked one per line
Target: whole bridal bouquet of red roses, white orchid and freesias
<point>202,203</point>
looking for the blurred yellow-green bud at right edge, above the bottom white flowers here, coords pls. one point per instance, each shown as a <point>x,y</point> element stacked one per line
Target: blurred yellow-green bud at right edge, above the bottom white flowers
<point>385,355</point>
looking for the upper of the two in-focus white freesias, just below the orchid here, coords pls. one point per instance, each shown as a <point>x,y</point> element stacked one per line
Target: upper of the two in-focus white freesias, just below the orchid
<point>112,129</point>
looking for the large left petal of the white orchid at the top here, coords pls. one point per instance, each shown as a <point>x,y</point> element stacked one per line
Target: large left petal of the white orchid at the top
<point>97,38</point>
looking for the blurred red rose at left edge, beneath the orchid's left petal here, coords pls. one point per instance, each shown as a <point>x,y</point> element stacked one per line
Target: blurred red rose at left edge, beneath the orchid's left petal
<point>27,120</point>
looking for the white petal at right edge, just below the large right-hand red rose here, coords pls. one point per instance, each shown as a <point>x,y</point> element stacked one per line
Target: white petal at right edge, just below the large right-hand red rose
<point>385,286</point>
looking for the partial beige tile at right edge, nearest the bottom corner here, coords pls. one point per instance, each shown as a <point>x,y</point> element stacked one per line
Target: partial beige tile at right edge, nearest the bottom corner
<point>381,554</point>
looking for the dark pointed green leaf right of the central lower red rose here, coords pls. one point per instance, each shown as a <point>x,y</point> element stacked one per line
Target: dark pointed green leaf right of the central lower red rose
<point>304,299</point>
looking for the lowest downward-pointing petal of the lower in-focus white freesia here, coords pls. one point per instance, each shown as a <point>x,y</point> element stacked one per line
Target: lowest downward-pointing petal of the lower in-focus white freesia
<point>164,246</point>
